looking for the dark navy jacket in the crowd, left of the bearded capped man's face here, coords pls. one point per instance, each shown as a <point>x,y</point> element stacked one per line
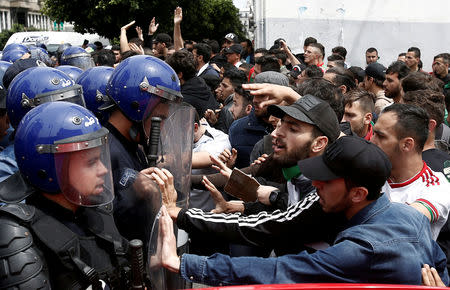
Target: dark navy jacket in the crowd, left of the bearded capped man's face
<point>244,133</point>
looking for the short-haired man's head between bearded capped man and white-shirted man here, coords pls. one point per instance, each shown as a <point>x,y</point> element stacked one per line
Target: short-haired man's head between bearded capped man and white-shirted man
<point>359,105</point>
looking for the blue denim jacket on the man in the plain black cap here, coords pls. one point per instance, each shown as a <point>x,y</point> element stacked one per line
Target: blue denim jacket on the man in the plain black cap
<point>383,243</point>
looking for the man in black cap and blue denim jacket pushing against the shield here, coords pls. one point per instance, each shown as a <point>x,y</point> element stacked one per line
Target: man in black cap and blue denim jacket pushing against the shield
<point>382,242</point>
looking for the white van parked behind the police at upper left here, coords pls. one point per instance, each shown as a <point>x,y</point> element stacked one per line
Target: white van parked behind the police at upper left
<point>52,39</point>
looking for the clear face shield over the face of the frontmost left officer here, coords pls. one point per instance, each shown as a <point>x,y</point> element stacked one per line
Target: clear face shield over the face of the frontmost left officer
<point>84,170</point>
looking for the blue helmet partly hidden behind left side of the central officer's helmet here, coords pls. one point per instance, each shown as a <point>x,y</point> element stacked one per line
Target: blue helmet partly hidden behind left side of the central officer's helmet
<point>94,81</point>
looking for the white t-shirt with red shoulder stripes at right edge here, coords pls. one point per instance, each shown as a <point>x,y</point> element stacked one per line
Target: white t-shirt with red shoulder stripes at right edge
<point>427,187</point>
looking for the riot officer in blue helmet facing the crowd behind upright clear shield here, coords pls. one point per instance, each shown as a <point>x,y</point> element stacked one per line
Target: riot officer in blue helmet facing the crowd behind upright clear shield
<point>140,87</point>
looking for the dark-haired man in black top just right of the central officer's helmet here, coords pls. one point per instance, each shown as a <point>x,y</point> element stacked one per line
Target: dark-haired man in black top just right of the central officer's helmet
<point>193,88</point>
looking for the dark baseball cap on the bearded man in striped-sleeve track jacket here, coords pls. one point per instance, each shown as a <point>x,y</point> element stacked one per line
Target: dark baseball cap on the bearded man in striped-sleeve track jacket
<point>311,110</point>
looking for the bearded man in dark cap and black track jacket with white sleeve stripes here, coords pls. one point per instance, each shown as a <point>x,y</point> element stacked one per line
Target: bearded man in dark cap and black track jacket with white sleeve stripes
<point>305,130</point>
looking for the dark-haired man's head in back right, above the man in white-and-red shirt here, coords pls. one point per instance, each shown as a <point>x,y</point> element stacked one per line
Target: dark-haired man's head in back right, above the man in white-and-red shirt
<point>392,85</point>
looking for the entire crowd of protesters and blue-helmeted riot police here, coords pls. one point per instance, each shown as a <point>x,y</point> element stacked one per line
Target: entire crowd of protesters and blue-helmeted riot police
<point>300,167</point>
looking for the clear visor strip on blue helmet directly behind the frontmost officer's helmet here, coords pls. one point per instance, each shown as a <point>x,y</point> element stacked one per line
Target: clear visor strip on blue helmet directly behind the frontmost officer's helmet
<point>72,94</point>
